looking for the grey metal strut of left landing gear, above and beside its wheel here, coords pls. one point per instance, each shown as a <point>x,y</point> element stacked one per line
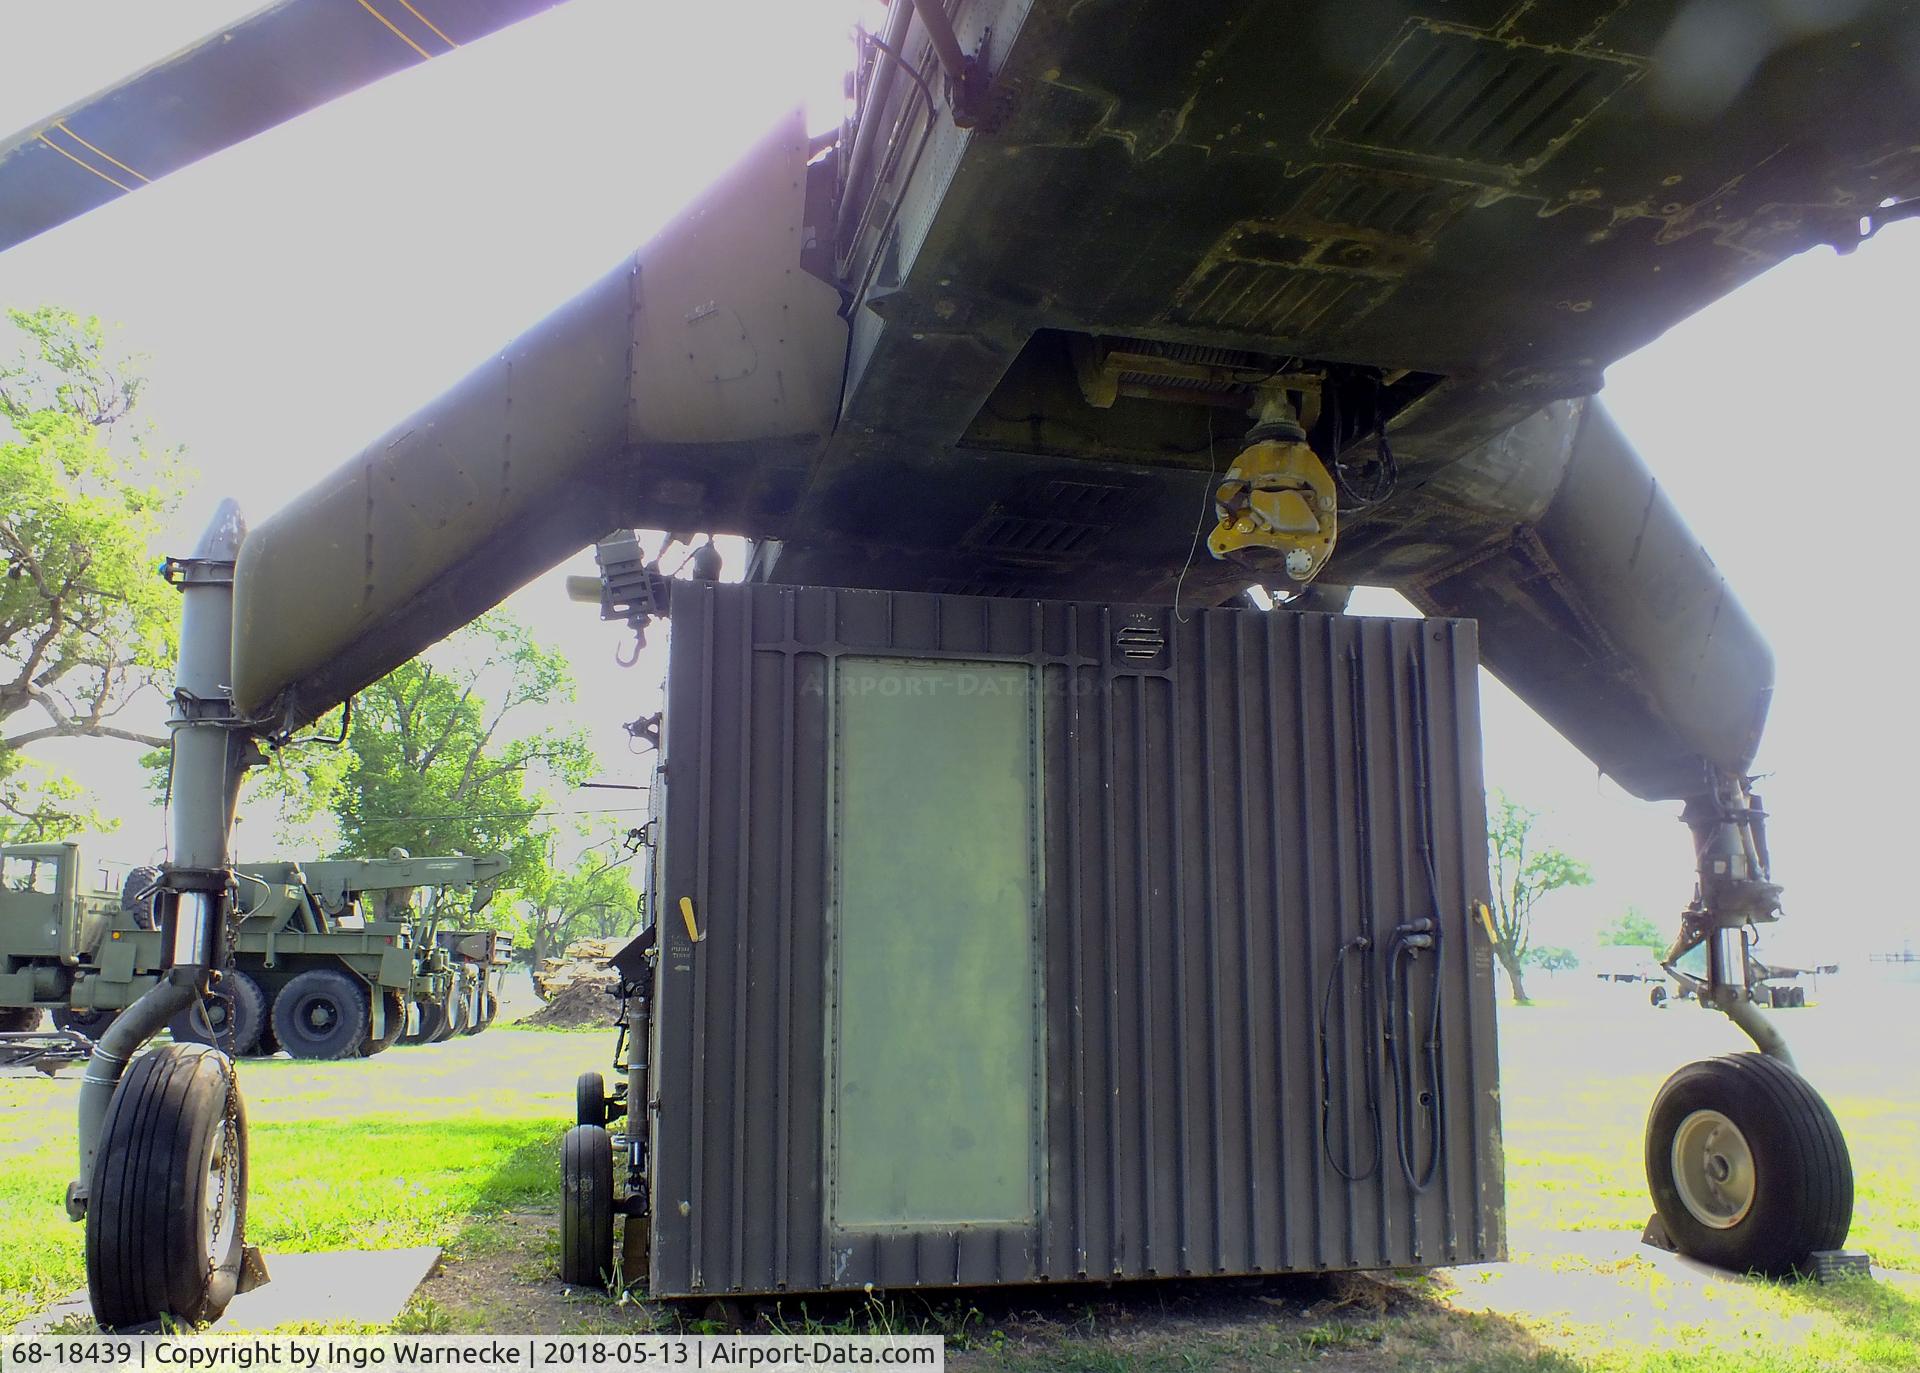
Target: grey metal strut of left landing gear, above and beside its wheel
<point>204,786</point>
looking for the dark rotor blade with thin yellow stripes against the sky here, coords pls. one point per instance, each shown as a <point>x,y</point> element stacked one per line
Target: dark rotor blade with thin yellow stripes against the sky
<point>245,80</point>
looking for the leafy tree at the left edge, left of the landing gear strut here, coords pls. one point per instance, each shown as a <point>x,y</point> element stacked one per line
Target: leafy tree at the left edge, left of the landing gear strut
<point>85,625</point>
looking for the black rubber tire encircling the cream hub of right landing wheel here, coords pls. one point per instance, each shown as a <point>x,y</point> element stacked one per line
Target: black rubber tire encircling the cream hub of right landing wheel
<point>1804,1176</point>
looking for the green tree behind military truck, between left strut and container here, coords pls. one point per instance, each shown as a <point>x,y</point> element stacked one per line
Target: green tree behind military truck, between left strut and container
<point>435,759</point>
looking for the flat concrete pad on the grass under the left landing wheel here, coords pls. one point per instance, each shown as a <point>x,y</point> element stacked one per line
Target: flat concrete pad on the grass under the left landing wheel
<point>368,1288</point>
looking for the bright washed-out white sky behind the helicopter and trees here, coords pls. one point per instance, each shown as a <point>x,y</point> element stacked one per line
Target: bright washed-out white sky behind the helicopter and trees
<point>304,291</point>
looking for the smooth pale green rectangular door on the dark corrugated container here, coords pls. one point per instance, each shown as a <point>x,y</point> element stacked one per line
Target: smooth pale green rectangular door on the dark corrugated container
<point>934,1034</point>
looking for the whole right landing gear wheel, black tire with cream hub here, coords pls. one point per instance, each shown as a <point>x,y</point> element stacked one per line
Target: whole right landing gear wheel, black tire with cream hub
<point>1748,1167</point>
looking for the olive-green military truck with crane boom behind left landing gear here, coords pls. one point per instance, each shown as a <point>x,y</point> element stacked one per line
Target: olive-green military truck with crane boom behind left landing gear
<point>331,959</point>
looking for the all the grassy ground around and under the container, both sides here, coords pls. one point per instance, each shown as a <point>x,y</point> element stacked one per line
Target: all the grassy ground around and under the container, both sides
<point>456,1145</point>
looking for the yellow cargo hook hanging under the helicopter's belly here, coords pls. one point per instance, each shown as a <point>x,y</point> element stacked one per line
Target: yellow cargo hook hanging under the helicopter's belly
<point>1278,506</point>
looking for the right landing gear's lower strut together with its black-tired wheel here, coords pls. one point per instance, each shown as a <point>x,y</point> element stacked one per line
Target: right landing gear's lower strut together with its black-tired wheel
<point>1746,1165</point>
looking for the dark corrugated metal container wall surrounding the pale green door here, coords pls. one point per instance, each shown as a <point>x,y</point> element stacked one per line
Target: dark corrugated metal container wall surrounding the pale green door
<point>1228,800</point>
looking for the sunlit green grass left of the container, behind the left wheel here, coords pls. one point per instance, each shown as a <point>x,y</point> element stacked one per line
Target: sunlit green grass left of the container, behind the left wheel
<point>418,1147</point>
